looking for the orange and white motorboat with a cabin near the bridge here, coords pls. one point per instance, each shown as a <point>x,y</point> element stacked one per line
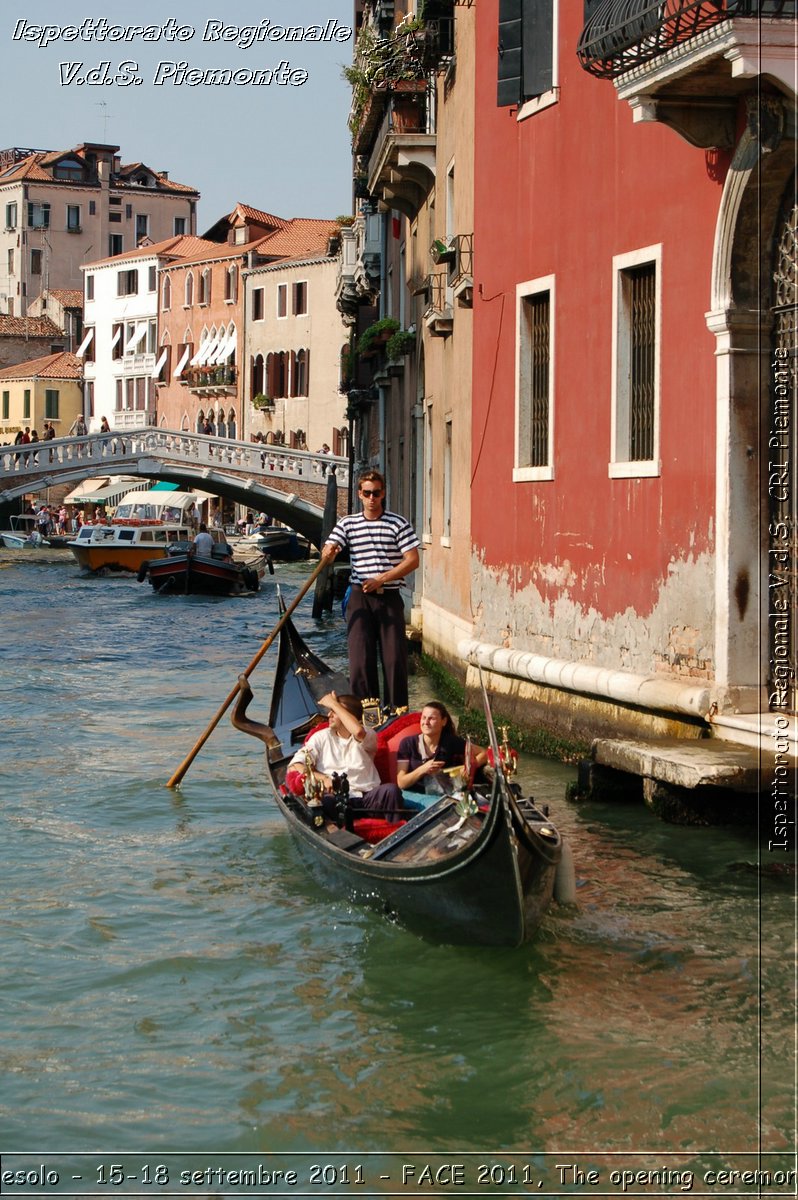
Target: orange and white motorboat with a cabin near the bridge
<point>143,527</point>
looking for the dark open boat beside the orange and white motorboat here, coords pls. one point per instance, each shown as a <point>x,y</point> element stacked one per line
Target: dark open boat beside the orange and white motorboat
<point>187,573</point>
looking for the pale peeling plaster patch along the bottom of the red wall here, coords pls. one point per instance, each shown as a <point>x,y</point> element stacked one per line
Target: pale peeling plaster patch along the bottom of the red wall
<point>674,638</point>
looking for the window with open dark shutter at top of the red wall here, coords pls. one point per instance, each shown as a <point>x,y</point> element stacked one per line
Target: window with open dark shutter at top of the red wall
<point>527,52</point>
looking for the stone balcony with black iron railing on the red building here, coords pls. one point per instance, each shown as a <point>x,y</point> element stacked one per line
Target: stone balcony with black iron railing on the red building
<point>688,63</point>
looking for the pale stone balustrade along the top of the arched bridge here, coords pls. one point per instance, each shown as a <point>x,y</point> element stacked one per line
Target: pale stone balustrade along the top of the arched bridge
<point>94,452</point>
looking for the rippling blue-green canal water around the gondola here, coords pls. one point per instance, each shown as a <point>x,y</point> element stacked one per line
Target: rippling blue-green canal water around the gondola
<point>175,980</point>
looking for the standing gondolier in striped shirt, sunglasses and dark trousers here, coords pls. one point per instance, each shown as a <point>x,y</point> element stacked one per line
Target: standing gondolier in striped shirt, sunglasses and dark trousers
<point>383,549</point>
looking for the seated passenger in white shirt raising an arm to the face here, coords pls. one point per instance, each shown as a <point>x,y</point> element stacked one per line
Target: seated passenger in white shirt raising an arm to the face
<point>347,747</point>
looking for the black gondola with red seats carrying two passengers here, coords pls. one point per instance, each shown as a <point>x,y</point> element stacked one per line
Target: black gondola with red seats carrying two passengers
<point>477,867</point>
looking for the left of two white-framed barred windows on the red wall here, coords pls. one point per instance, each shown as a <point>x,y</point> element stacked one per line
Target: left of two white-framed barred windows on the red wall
<point>535,381</point>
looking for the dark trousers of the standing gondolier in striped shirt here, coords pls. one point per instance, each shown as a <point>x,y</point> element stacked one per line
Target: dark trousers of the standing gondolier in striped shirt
<point>376,631</point>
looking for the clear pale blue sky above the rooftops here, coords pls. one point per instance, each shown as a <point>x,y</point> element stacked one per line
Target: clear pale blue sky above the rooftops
<point>279,147</point>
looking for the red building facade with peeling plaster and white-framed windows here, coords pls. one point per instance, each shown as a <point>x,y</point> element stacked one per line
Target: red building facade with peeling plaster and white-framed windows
<point>625,317</point>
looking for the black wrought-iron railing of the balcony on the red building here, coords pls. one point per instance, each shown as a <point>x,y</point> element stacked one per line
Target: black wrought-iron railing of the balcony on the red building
<point>621,35</point>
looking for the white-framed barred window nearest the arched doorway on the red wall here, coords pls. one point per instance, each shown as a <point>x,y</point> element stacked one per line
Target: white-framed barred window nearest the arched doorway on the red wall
<point>637,364</point>
